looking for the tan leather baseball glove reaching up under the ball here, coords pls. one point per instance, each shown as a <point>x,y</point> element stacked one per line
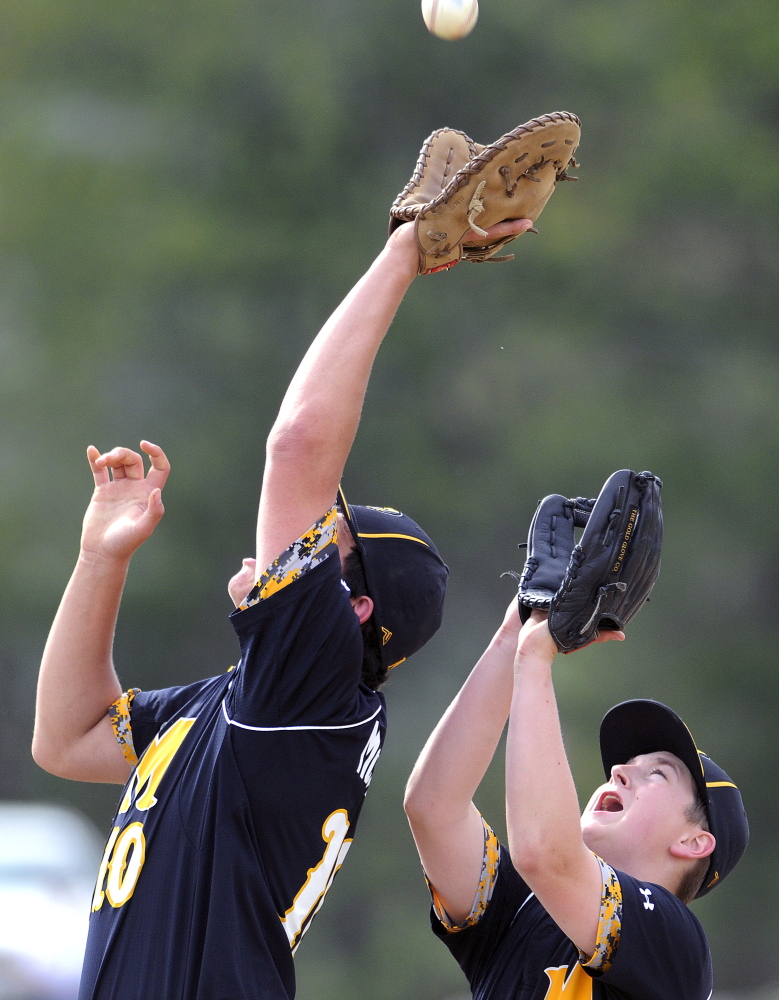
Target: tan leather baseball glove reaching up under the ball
<point>460,187</point>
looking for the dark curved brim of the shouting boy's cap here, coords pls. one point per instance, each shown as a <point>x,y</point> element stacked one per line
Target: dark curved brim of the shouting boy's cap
<point>644,726</point>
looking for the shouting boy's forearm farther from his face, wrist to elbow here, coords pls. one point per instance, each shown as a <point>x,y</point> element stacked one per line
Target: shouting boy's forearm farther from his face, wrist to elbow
<point>461,747</point>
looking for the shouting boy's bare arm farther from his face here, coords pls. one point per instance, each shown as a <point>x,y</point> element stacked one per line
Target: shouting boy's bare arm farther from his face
<point>446,824</point>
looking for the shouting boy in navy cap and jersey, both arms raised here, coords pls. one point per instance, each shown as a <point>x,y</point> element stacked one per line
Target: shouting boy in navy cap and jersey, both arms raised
<point>573,908</point>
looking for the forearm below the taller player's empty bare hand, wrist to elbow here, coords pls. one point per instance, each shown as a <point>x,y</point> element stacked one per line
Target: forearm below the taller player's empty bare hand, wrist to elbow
<point>77,682</point>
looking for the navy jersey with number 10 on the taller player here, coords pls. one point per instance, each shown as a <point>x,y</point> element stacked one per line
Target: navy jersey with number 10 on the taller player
<point>240,810</point>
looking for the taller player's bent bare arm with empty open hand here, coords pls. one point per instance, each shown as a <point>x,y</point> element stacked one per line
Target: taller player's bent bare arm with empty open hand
<point>73,736</point>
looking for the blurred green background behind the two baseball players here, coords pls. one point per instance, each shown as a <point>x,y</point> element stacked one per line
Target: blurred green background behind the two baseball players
<point>186,190</point>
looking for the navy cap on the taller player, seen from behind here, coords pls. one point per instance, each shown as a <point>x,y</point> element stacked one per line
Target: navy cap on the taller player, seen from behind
<point>405,575</point>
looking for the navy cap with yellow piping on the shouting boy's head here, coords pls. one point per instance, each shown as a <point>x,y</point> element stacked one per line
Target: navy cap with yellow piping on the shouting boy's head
<point>645,726</point>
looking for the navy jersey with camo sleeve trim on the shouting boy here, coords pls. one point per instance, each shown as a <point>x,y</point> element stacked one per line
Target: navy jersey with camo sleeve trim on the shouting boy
<point>653,949</point>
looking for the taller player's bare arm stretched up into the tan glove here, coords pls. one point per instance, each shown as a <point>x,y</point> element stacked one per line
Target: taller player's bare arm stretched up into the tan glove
<point>317,422</point>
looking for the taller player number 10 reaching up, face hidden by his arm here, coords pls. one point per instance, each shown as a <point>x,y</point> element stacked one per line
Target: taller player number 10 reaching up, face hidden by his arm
<point>241,792</point>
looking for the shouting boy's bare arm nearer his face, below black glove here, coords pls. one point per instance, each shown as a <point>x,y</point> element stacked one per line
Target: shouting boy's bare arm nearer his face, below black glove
<point>542,807</point>
